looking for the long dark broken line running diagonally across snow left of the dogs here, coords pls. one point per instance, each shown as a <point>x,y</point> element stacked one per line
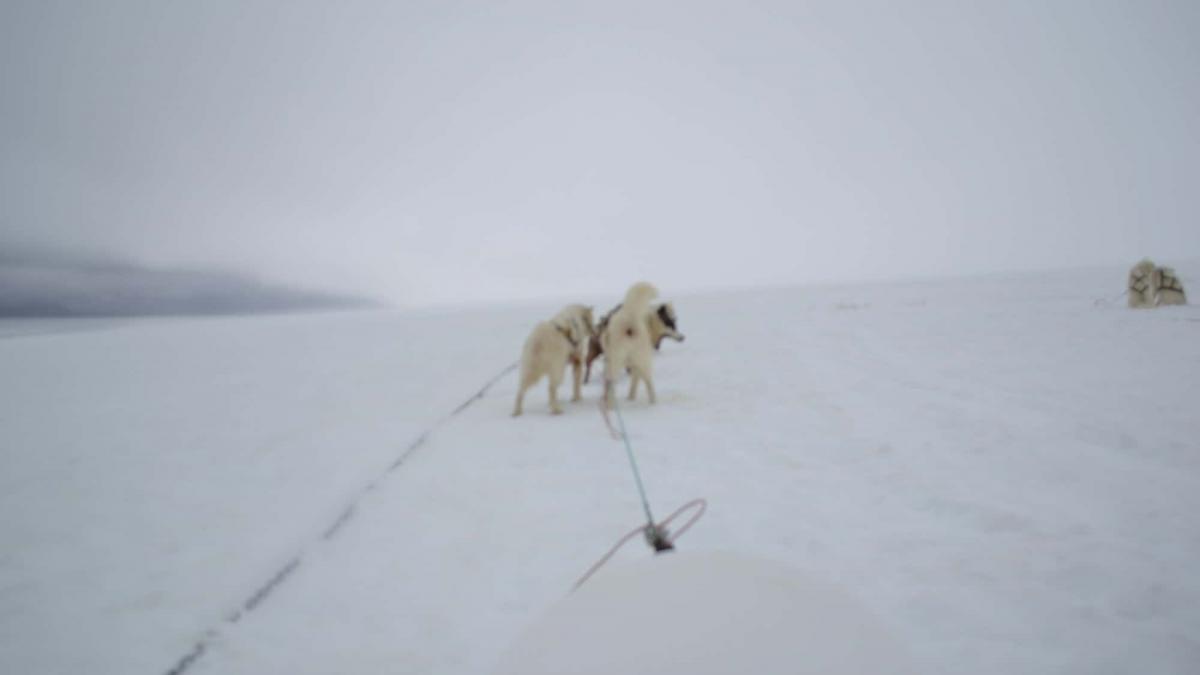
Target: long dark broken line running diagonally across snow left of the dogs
<point>263,592</point>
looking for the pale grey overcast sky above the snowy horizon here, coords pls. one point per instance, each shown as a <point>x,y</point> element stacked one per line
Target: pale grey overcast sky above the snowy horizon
<point>431,153</point>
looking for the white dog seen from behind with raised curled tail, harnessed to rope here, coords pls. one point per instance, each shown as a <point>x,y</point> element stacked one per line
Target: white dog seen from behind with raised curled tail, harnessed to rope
<point>627,343</point>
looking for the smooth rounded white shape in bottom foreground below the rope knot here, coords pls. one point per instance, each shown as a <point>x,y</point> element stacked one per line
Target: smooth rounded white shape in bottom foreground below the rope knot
<point>706,614</point>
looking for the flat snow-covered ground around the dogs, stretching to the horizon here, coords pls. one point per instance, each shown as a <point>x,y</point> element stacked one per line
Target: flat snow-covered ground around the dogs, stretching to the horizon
<point>1000,469</point>
